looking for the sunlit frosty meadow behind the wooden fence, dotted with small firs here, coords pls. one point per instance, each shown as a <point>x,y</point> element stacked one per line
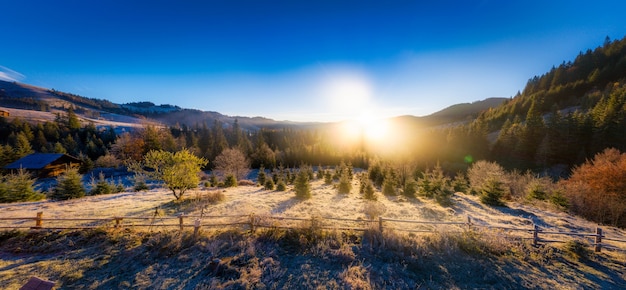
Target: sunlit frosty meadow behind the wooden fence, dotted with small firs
<point>325,202</point>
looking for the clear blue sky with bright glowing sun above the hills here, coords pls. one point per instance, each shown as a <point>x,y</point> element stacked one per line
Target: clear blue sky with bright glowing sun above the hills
<point>298,60</point>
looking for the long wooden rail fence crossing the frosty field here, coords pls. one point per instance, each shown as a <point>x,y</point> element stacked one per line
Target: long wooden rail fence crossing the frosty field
<point>535,233</point>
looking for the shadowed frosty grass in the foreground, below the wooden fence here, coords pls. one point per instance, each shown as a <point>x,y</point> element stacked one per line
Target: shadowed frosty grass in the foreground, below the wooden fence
<point>302,258</point>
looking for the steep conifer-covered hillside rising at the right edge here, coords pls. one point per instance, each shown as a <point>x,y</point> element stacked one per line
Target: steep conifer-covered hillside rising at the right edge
<point>565,116</point>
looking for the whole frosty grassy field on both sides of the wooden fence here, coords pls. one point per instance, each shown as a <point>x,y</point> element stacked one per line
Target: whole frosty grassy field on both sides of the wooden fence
<point>304,257</point>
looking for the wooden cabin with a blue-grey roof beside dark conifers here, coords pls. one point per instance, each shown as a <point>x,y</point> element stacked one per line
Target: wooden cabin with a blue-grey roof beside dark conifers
<point>45,164</point>
